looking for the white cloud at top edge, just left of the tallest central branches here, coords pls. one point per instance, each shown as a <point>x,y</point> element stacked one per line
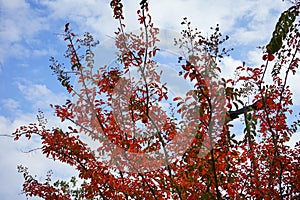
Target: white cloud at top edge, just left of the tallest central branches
<point>90,15</point>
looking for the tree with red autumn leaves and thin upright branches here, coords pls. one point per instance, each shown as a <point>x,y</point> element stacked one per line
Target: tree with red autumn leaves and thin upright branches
<point>187,151</point>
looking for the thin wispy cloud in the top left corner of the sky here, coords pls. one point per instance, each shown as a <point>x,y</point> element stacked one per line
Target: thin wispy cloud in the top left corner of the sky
<point>19,25</point>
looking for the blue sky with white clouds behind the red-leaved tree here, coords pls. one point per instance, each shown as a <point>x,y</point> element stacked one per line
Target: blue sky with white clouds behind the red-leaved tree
<point>29,35</point>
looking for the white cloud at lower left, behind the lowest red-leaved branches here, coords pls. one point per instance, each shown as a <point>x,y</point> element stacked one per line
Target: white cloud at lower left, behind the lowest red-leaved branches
<point>13,154</point>
